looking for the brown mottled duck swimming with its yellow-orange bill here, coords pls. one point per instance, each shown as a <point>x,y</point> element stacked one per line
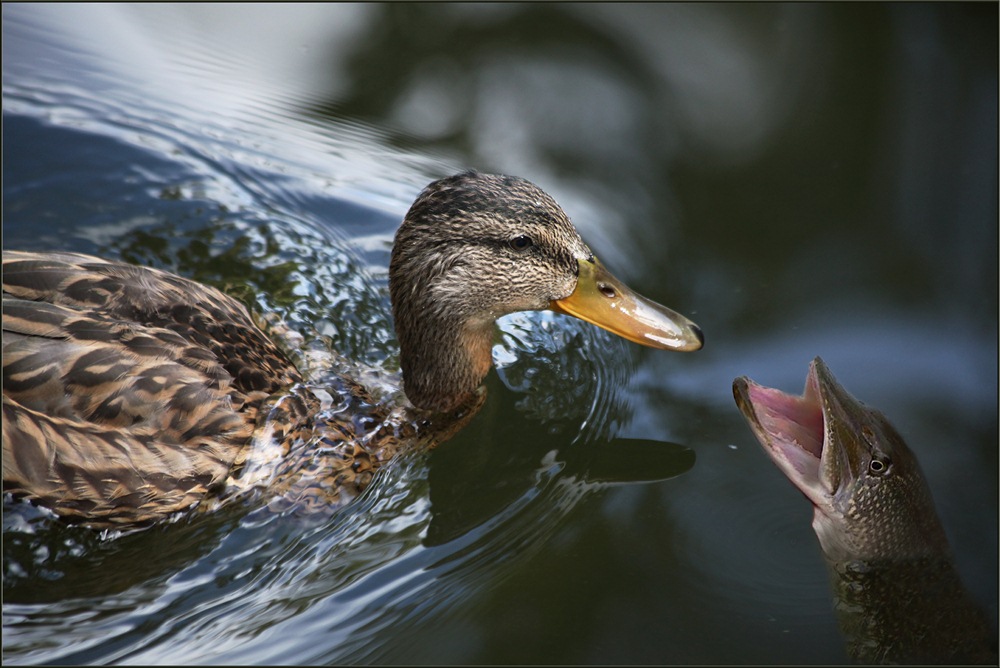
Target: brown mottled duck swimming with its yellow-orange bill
<point>132,395</point>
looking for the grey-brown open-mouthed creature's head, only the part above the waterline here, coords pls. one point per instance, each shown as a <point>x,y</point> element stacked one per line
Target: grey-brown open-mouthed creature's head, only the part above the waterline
<point>869,496</point>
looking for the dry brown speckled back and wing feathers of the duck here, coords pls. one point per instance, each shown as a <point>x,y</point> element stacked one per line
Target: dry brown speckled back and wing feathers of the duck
<point>129,393</point>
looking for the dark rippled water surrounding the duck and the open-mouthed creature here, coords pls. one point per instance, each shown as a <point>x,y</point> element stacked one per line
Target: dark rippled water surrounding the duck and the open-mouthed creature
<point>800,180</point>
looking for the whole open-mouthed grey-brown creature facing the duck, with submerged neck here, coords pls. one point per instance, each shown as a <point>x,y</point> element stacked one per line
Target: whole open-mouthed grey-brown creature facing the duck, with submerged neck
<point>897,594</point>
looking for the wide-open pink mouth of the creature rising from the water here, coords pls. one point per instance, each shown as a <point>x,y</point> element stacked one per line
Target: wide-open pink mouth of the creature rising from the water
<point>791,428</point>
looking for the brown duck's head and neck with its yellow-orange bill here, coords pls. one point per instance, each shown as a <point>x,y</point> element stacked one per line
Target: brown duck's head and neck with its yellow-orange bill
<point>474,247</point>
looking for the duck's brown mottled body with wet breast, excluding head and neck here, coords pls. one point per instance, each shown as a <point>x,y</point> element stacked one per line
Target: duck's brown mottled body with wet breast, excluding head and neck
<point>131,394</point>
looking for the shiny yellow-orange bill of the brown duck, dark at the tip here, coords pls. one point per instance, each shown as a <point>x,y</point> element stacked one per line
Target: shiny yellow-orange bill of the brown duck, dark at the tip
<point>603,300</point>
